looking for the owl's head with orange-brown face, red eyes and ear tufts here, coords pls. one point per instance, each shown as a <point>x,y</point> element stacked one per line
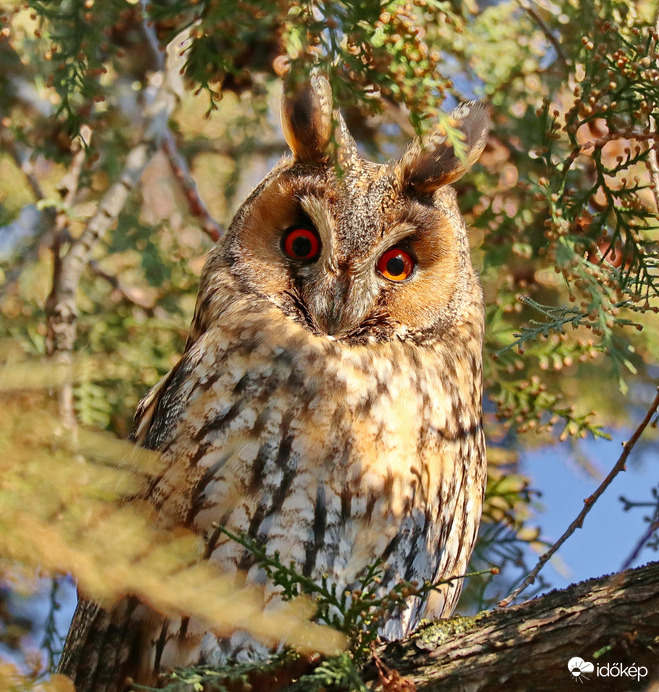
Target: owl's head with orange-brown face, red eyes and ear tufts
<point>353,250</point>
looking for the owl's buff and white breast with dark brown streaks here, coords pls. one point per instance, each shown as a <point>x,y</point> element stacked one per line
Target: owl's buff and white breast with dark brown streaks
<point>334,455</point>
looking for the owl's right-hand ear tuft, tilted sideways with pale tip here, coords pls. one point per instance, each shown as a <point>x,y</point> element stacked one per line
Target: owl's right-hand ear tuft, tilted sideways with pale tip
<point>432,162</point>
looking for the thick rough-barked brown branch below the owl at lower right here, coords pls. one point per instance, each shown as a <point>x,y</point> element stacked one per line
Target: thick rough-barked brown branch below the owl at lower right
<point>612,619</point>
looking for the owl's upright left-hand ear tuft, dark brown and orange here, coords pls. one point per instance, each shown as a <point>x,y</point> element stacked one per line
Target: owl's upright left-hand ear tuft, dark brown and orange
<point>306,118</point>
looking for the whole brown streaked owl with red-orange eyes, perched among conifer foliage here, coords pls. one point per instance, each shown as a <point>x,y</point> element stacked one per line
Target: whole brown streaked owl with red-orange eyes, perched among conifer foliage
<point>324,406</point>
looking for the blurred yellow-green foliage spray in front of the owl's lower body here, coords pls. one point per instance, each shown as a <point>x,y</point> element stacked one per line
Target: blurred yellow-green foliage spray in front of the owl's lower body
<point>63,510</point>
